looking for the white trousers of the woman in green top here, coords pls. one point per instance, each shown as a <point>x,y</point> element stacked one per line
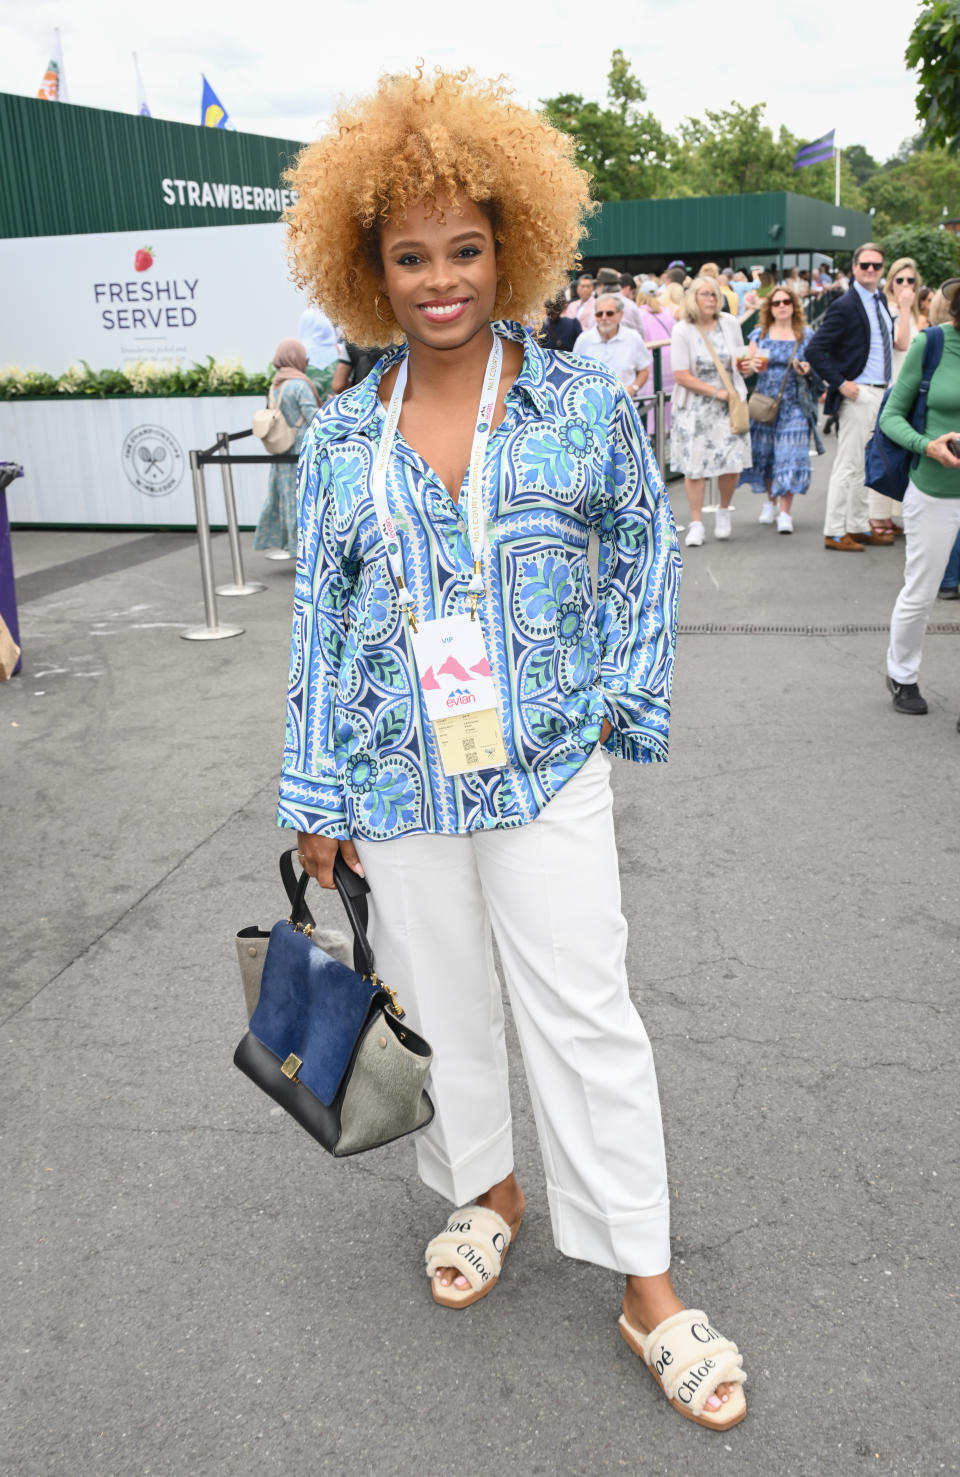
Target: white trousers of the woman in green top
<point>931,528</point>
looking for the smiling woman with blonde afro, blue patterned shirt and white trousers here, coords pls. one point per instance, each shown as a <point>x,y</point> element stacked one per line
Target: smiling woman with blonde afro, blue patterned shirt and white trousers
<point>459,688</point>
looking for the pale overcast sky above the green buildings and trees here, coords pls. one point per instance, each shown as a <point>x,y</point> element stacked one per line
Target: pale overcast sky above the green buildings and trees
<point>280,70</point>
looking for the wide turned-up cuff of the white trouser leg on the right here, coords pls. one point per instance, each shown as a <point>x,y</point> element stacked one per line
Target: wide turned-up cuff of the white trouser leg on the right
<point>637,1244</point>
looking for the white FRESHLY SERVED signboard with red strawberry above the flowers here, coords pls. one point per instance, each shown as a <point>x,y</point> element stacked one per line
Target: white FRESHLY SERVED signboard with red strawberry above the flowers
<point>162,296</point>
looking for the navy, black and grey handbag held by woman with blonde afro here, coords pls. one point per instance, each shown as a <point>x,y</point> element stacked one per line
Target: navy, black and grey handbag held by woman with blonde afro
<point>327,1042</point>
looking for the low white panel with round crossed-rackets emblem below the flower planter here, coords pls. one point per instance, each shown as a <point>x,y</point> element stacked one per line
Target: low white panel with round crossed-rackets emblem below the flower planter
<point>126,462</point>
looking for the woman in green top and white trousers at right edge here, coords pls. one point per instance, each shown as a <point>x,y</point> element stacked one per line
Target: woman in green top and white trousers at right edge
<point>933,501</point>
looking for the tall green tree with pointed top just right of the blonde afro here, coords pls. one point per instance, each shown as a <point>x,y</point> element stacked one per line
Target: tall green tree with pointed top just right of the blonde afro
<point>621,147</point>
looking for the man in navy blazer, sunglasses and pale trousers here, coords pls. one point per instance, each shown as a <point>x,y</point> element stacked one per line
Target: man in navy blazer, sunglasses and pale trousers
<point>853,351</point>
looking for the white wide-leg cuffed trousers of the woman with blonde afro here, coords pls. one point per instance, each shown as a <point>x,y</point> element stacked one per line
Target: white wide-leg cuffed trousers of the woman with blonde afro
<point>550,893</point>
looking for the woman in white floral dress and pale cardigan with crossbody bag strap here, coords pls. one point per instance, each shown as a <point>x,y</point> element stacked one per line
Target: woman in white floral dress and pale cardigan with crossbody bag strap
<point>702,444</point>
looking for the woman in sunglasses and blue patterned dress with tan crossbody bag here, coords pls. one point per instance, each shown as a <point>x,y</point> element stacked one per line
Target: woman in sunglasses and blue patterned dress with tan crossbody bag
<point>781,448</point>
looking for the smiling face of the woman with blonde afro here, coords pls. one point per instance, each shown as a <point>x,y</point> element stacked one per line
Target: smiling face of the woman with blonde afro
<point>439,273</point>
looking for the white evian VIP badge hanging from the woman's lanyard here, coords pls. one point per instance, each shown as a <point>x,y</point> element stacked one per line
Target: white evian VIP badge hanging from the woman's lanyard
<point>460,693</point>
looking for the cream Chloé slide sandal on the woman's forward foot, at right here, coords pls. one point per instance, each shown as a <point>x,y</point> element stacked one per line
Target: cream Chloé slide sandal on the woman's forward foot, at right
<point>689,1360</point>
